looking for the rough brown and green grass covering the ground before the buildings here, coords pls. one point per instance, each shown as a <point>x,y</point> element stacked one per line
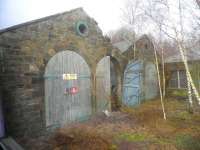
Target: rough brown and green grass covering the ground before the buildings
<point>143,128</point>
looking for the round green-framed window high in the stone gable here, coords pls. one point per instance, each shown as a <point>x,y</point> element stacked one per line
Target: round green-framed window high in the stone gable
<point>82,28</point>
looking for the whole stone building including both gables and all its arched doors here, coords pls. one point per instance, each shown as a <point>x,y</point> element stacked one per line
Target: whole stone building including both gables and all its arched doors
<point>61,69</point>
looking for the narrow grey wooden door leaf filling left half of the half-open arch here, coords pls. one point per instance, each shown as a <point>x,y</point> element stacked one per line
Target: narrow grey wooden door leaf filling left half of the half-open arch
<point>103,84</point>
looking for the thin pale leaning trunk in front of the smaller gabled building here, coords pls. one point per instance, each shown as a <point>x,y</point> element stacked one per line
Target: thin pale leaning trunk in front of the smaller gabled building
<point>159,83</point>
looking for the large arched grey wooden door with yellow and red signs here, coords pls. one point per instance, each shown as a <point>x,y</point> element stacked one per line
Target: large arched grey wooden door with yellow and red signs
<point>67,89</point>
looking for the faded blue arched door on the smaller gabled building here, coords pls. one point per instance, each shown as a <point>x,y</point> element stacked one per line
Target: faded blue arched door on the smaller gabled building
<point>132,94</point>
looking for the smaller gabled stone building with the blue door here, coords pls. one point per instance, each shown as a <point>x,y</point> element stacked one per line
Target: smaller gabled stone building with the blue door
<point>140,76</point>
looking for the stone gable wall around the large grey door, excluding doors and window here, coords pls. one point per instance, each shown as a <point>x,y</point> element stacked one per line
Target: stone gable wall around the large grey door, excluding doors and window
<point>27,48</point>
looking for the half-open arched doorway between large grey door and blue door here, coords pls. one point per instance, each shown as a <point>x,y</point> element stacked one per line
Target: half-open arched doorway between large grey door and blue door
<point>108,84</point>
